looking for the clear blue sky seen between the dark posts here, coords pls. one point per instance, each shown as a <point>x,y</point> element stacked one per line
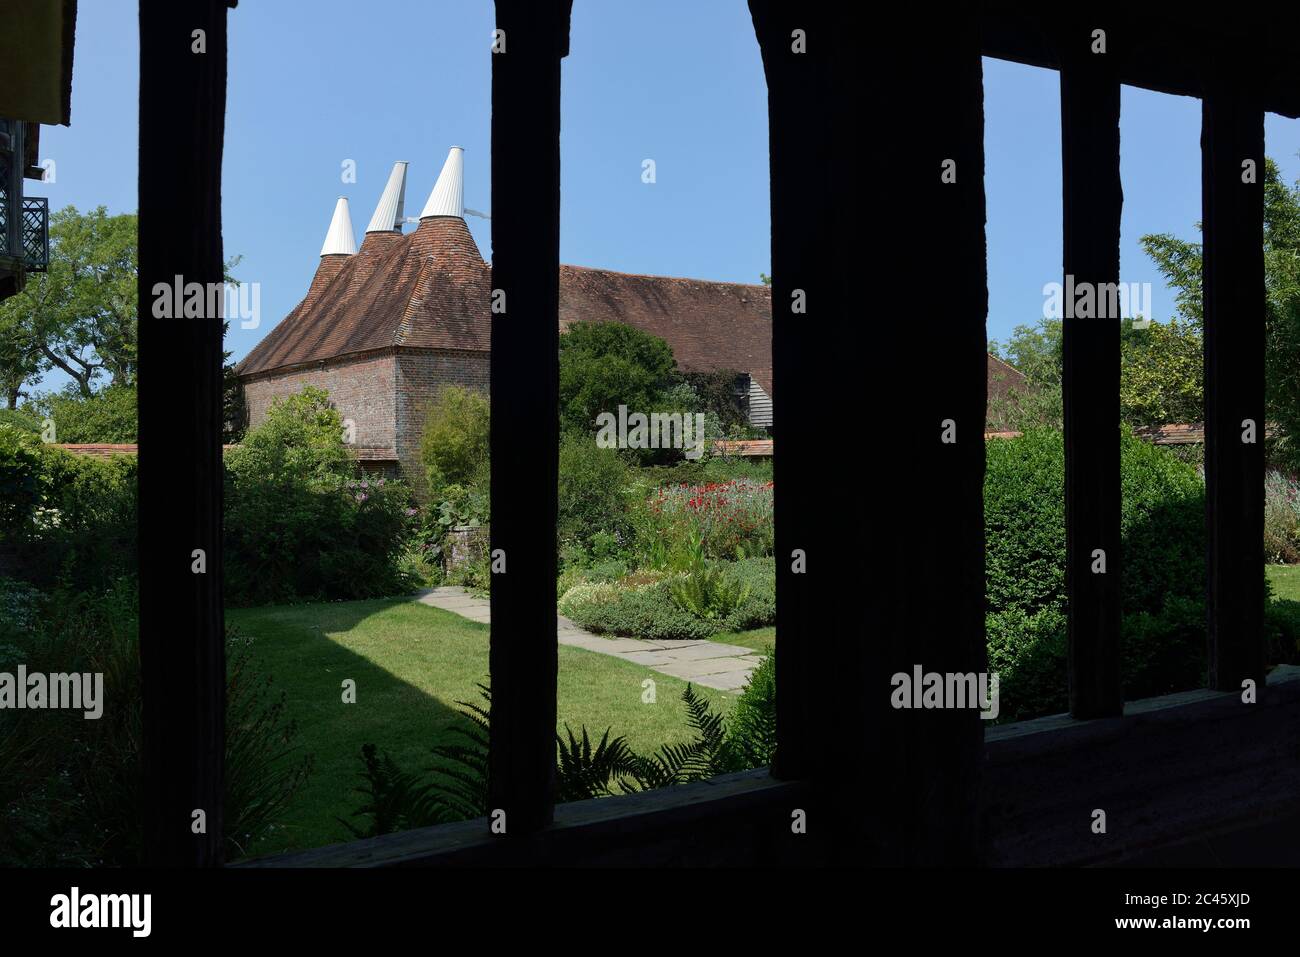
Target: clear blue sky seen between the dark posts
<point>406,80</point>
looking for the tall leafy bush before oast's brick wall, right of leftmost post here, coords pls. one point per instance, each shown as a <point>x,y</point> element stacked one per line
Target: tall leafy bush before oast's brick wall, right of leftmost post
<point>300,525</point>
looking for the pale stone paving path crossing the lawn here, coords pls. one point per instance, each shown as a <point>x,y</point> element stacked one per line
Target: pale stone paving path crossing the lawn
<point>709,664</point>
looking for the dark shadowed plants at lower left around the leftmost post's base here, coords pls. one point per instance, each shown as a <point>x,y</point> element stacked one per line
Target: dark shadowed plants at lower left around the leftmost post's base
<point>71,790</point>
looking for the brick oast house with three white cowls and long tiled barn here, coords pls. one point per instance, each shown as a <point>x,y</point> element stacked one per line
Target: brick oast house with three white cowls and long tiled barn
<point>385,327</point>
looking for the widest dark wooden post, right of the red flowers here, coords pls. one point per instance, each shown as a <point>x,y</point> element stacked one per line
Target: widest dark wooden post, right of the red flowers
<point>892,573</point>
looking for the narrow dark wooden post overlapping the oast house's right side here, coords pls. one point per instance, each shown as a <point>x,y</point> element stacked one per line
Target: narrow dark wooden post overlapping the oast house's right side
<point>526,167</point>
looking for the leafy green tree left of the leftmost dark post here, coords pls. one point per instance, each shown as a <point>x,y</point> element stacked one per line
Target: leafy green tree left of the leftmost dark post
<point>81,315</point>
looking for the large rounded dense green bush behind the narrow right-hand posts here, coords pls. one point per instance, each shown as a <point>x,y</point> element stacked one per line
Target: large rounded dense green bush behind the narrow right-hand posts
<point>1163,565</point>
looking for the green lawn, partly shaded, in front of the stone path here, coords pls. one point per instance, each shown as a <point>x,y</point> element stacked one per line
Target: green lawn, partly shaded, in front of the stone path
<point>411,665</point>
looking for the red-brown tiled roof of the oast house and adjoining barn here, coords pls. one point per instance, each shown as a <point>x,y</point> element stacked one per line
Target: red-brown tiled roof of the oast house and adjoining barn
<point>431,289</point>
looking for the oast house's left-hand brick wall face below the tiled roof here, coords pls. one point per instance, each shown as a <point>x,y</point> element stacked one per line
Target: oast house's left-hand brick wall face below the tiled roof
<point>361,389</point>
